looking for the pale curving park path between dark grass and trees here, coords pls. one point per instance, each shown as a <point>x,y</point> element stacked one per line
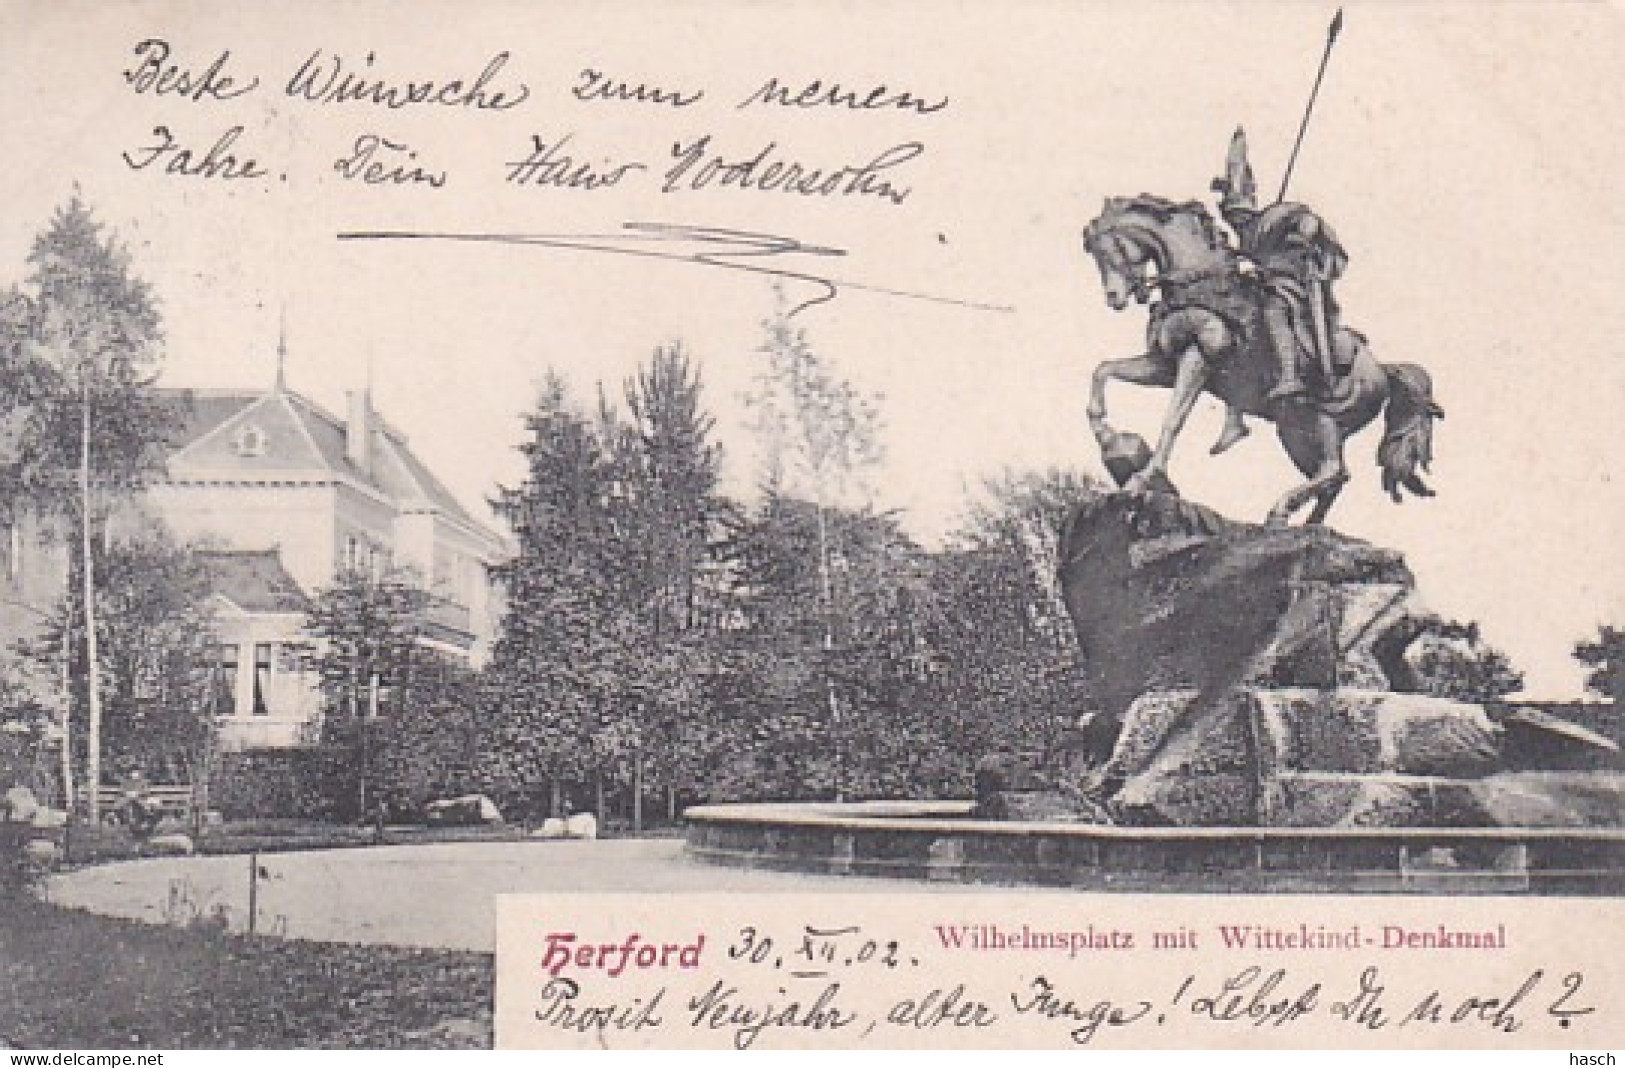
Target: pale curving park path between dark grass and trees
<point>431,897</point>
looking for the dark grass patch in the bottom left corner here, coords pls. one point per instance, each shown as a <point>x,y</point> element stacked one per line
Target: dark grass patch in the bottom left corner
<point>79,981</point>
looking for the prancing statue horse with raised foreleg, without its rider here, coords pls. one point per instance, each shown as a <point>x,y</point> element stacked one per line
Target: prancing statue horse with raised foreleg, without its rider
<point>1207,336</point>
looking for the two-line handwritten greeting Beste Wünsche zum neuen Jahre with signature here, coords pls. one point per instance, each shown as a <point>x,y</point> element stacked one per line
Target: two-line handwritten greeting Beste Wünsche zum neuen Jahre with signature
<point>561,160</point>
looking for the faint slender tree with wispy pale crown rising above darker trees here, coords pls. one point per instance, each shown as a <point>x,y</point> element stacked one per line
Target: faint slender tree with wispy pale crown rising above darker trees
<point>820,438</point>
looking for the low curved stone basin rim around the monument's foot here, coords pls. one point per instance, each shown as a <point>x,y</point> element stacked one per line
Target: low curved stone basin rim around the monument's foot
<point>942,843</point>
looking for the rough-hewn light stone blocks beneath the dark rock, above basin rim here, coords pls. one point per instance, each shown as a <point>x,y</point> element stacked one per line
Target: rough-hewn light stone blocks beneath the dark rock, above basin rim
<point>1304,758</point>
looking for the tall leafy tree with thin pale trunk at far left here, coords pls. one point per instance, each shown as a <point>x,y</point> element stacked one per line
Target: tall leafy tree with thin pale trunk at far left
<point>79,352</point>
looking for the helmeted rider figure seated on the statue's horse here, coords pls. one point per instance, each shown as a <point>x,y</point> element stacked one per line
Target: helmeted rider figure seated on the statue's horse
<point>1296,258</point>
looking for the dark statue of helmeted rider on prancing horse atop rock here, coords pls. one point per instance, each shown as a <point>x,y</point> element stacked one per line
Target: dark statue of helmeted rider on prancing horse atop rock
<point>1250,318</point>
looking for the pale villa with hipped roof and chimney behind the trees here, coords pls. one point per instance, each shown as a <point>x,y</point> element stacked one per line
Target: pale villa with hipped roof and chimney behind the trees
<point>282,497</point>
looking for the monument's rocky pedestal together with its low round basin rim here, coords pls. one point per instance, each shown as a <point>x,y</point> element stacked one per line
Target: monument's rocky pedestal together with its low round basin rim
<point>1257,729</point>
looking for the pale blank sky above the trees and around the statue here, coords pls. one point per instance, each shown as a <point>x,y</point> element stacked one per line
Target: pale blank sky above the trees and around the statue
<point>1467,154</point>
